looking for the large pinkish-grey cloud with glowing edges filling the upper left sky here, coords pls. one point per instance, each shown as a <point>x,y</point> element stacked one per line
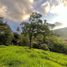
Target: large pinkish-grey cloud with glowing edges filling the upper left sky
<point>16,8</point>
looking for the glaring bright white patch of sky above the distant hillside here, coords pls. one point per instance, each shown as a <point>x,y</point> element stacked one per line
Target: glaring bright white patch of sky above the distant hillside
<point>61,12</point>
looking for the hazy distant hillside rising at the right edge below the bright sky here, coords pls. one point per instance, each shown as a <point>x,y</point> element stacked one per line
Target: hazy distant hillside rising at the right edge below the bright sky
<point>62,32</point>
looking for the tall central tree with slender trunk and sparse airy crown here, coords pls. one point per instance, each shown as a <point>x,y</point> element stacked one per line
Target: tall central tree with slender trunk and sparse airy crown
<point>34,27</point>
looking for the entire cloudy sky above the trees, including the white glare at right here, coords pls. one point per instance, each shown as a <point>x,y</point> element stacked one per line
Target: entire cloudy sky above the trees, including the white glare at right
<point>20,10</point>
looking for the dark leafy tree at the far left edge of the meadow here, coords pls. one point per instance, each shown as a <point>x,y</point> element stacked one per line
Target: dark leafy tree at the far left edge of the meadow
<point>5,33</point>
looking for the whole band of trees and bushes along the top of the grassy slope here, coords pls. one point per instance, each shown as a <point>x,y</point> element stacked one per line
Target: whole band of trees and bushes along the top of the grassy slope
<point>35,34</point>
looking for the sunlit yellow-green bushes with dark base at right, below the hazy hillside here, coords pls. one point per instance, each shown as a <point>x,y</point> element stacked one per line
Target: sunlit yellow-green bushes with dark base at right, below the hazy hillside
<point>56,44</point>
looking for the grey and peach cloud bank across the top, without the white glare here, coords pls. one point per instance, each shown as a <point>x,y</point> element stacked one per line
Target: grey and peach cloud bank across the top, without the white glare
<point>21,9</point>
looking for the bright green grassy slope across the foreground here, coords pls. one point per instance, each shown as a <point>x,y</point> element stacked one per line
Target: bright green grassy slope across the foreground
<point>17,56</point>
